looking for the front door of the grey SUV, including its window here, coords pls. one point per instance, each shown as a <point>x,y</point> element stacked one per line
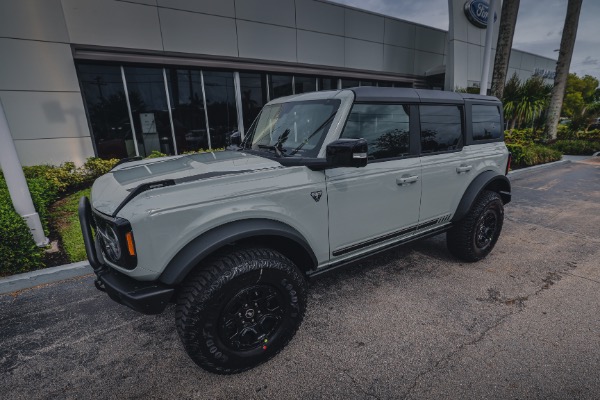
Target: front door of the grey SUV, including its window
<point>379,204</point>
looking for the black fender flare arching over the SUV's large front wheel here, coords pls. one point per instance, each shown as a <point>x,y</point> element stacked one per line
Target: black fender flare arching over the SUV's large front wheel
<point>205,244</point>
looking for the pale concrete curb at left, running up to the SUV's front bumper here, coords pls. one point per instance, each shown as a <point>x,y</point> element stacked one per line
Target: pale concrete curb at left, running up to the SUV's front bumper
<point>44,276</point>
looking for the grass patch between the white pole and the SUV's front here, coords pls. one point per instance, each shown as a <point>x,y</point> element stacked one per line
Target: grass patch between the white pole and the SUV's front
<point>66,221</point>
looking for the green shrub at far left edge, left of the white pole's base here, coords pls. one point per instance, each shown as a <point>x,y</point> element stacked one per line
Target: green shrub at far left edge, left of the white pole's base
<point>18,251</point>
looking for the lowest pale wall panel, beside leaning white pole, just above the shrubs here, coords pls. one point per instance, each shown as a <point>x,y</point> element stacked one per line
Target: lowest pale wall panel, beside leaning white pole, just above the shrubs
<point>54,151</point>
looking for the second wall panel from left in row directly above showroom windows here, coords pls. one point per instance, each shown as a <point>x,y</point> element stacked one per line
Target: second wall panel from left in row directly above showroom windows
<point>189,32</point>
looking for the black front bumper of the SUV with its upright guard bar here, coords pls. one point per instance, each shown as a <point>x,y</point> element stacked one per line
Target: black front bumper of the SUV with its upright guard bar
<point>142,296</point>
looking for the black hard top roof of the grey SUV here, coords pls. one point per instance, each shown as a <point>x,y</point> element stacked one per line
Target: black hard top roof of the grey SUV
<point>393,95</point>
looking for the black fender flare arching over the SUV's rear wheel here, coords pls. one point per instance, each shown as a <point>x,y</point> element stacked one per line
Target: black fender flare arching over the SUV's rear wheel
<point>487,180</point>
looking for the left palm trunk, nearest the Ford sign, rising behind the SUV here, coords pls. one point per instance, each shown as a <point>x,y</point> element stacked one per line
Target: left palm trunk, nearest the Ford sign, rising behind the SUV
<point>508,20</point>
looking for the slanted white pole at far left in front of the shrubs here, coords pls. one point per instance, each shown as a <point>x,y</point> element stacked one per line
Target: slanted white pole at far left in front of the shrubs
<point>17,186</point>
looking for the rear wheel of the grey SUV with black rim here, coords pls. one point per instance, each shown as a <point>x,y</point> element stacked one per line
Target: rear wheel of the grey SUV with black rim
<point>472,238</point>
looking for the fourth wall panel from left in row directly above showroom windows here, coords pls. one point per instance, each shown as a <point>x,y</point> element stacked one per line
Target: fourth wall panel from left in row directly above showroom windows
<point>320,49</point>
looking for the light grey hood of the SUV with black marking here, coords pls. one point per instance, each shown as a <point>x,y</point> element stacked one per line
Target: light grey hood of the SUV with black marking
<point>111,189</point>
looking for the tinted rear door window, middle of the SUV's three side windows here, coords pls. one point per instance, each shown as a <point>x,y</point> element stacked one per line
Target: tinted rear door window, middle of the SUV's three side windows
<point>441,128</point>
